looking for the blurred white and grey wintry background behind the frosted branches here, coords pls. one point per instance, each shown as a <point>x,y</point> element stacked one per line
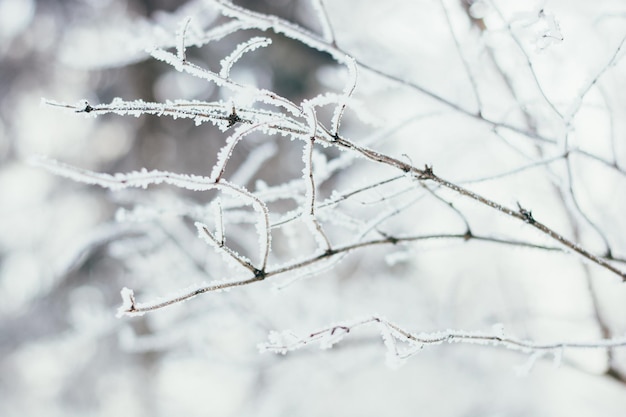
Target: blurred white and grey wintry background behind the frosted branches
<point>64,257</point>
